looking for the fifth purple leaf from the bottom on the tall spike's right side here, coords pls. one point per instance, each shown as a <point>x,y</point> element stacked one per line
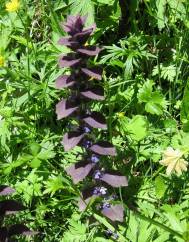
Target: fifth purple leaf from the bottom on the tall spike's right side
<point>95,93</point>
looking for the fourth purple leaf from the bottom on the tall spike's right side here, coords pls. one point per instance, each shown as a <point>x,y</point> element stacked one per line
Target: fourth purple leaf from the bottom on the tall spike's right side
<point>96,120</point>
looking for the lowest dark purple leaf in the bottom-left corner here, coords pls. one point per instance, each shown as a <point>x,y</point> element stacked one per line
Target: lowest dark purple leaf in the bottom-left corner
<point>20,229</point>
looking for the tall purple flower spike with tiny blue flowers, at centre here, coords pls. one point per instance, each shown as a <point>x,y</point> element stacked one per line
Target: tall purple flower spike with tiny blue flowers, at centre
<point>84,91</point>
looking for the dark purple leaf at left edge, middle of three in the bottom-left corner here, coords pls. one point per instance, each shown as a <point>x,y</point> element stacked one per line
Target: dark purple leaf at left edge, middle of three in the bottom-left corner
<point>10,207</point>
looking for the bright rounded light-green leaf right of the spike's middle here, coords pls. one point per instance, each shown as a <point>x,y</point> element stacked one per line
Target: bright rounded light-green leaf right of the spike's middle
<point>138,127</point>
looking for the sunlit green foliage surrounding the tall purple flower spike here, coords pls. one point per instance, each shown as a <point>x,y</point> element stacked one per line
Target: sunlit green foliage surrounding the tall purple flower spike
<point>145,79</point>
